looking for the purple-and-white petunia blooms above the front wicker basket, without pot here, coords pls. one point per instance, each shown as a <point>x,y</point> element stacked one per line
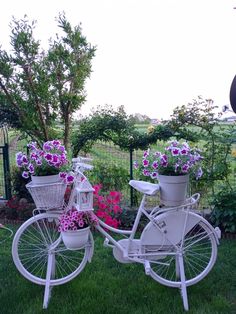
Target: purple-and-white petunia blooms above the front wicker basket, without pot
<point>51,159</point>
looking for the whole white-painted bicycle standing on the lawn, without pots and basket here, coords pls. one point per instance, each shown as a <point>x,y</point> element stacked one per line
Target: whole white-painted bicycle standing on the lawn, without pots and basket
<point>177,247</point>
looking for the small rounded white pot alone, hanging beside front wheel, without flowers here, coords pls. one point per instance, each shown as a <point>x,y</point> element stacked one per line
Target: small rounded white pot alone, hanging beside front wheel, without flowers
<point>75,239</point>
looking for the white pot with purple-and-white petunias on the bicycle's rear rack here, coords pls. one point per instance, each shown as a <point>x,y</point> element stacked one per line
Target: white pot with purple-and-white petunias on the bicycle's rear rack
<point>172,169</point>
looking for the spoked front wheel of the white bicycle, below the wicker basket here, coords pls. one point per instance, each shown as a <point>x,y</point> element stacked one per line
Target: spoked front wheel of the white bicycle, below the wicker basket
<point>35,240</point>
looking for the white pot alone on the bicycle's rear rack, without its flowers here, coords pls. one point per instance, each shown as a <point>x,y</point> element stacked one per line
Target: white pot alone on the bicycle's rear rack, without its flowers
<point>173,189</point>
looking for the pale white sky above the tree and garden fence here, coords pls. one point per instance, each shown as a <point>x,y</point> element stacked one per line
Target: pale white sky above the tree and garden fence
<point>152,55</point>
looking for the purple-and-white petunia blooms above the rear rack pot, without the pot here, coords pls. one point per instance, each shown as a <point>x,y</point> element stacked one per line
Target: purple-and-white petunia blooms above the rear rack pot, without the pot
<point>177,159</point>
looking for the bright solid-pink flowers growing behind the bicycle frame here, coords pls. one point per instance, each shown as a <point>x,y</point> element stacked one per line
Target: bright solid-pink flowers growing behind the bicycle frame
<point>107,206</point>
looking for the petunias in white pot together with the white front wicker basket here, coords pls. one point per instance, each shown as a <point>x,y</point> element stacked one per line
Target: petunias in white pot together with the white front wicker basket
<point>47,168</point>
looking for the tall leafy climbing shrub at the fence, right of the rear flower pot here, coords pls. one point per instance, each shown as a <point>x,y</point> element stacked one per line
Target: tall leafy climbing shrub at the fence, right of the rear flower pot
<point>198,120</point>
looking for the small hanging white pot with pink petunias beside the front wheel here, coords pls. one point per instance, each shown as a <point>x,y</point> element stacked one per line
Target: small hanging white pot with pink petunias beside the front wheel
<point>75,226</point>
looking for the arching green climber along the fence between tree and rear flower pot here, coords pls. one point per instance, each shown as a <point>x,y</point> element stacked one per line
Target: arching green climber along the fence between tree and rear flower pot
<point>107,124</point>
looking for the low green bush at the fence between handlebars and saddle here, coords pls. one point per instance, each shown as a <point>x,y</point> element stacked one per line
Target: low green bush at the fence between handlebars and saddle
<point>111,176</point>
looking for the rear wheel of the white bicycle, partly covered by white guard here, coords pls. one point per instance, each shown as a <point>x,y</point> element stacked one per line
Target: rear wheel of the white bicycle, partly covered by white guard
<point>199,255</point>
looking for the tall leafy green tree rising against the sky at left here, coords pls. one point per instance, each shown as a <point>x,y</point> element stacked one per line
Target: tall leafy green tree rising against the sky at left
<point>36,86</point>
